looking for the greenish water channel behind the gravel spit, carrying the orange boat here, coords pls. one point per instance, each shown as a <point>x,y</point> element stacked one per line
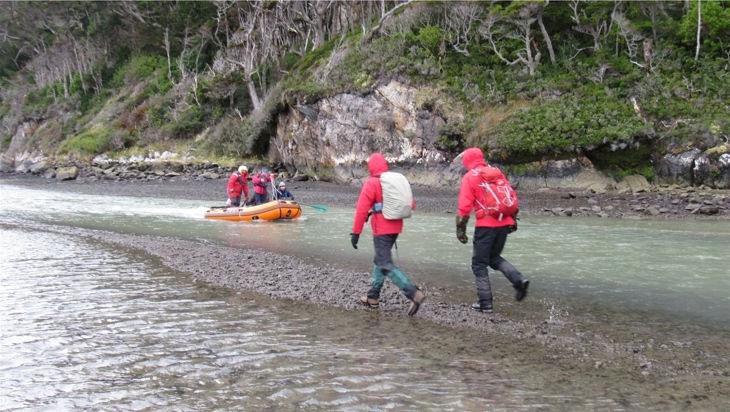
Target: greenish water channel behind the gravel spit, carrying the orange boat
<point>669,269</point>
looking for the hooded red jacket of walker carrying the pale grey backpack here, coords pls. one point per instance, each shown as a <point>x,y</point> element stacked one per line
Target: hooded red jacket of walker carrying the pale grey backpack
<point>371,194</point>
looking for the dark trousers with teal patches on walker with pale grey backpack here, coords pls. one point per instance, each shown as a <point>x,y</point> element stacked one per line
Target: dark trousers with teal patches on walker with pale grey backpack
<point>383,266</point>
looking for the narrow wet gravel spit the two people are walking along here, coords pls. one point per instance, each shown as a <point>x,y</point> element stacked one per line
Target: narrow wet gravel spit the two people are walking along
<point>655,366</point>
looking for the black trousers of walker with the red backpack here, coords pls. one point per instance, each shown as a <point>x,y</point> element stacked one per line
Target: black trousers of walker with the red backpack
<point>488,245</point>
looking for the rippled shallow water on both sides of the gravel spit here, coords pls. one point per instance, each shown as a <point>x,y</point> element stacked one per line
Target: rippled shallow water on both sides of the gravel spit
<point>86,326</point>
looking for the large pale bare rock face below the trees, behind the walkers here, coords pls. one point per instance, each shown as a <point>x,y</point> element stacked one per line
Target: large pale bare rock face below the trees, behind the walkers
<point>333,137</point>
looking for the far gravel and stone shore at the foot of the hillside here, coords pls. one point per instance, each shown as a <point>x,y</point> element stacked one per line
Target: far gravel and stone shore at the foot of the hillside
<point>658,203</point>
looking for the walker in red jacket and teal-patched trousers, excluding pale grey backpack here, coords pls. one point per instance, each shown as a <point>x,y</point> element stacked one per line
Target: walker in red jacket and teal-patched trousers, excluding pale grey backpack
<point>385,233</point>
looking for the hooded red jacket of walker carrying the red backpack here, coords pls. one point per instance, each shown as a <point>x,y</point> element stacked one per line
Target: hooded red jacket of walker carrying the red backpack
<point>470,189</point>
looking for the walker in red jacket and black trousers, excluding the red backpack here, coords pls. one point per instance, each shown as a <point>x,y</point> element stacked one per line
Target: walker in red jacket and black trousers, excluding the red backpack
<point>490,235</point>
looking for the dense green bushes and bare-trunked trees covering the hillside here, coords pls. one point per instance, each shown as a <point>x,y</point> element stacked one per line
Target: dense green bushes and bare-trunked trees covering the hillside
<point>526,80</point>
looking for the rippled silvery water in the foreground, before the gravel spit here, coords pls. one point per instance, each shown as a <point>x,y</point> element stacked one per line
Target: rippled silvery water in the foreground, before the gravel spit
<point>82,327</point>
